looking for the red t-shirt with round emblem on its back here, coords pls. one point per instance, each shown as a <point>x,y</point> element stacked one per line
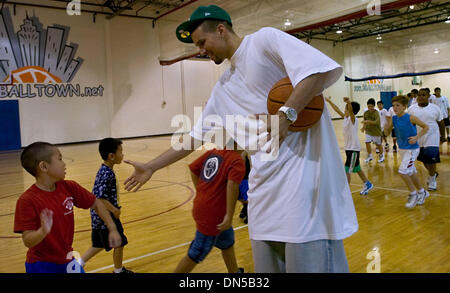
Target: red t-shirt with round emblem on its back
<point>214,169</point>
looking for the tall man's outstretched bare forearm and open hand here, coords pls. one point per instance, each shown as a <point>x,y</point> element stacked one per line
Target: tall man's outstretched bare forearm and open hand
<point>144,171</point>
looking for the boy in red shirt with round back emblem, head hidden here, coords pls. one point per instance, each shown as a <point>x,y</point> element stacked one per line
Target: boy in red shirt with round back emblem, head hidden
<point>216,176</point>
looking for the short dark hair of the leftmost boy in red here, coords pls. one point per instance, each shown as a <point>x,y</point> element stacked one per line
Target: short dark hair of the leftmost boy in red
<point>35,153</point>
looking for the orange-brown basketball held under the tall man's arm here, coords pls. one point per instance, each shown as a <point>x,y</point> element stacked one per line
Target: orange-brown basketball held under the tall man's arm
<point>279,94</point>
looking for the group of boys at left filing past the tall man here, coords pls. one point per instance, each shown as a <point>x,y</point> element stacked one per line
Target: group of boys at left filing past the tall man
<point>44,212</point>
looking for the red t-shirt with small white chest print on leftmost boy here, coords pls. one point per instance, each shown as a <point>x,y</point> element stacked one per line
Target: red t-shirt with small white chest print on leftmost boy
<point>58,243</point>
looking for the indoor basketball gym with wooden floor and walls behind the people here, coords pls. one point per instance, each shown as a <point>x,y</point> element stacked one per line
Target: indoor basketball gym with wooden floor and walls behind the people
<point>67,108</point>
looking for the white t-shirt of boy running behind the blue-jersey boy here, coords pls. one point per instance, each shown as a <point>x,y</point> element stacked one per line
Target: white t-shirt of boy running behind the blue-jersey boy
<point>429,115</point>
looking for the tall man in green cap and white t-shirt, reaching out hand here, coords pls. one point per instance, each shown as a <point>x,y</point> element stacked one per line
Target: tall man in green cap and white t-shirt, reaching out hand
<point>300,205</point>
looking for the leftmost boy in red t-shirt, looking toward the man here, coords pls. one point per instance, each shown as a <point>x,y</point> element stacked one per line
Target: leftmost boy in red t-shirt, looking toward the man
<point>44,213</point>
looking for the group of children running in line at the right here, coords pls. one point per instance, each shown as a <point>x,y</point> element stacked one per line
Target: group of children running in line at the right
<point>417,130</point>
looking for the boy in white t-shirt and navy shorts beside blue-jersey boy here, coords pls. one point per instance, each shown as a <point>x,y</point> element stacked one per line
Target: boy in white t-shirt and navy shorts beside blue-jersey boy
<point>429,143</point>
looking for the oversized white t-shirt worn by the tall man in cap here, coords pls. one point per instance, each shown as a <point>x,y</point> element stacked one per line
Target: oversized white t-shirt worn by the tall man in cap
<point>303,195</point>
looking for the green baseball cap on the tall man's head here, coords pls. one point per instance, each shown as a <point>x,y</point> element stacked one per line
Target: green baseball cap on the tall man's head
<point>200,14</point>
